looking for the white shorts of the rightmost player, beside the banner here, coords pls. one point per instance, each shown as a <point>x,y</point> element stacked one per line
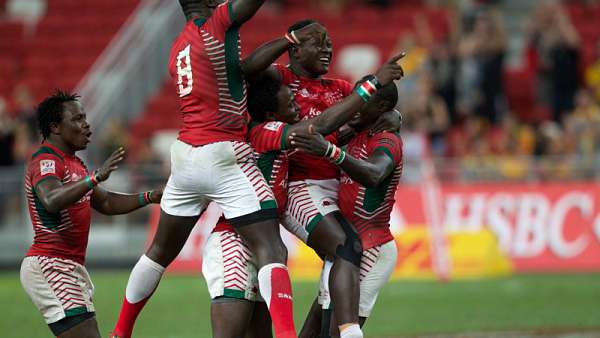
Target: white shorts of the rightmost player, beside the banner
<point>376,267</point>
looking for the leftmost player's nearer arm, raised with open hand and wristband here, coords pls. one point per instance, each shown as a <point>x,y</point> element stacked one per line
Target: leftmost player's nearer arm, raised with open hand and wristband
<point>56,196</point>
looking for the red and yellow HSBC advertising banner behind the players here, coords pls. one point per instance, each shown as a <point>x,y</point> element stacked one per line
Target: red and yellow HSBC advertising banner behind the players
<point>490,230</point>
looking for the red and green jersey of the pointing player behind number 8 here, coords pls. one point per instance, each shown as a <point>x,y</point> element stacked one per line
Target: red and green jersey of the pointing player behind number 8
<point>268,140</point>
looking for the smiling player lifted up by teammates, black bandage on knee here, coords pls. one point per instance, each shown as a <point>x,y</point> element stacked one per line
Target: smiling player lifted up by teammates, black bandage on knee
<point>312,212</point>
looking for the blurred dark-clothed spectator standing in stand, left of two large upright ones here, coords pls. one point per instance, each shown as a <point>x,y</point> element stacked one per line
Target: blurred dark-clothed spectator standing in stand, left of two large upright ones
<point>482,53</point>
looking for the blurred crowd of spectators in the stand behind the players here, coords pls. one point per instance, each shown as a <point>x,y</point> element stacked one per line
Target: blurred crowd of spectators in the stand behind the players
<point>458,100</point>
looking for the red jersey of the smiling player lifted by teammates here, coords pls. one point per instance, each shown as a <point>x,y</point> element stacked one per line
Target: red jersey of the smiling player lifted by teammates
<point>313,96</point>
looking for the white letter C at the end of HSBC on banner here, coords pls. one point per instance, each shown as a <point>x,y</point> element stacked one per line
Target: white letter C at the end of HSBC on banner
<point>556,241</point>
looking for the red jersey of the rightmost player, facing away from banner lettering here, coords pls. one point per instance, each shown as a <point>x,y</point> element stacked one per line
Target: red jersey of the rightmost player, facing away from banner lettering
<point>369,209</point>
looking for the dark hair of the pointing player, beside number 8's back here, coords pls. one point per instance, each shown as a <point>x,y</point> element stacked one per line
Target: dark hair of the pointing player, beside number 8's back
<point>262,96</point>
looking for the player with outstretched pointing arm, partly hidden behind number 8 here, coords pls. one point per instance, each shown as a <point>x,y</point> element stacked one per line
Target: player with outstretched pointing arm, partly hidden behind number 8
<point>227,261</point>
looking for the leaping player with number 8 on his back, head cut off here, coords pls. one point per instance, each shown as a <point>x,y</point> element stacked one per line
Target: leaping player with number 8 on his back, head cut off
<point>211,161</point>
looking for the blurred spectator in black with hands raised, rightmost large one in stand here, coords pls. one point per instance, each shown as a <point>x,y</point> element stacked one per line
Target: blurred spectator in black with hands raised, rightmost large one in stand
<point>556,43</point>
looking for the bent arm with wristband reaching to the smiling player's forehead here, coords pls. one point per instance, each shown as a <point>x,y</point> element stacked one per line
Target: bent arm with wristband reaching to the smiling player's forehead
<point>261,59</point>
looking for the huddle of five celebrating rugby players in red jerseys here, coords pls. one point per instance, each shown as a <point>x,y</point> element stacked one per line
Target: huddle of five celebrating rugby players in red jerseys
<point>263,141</point>
